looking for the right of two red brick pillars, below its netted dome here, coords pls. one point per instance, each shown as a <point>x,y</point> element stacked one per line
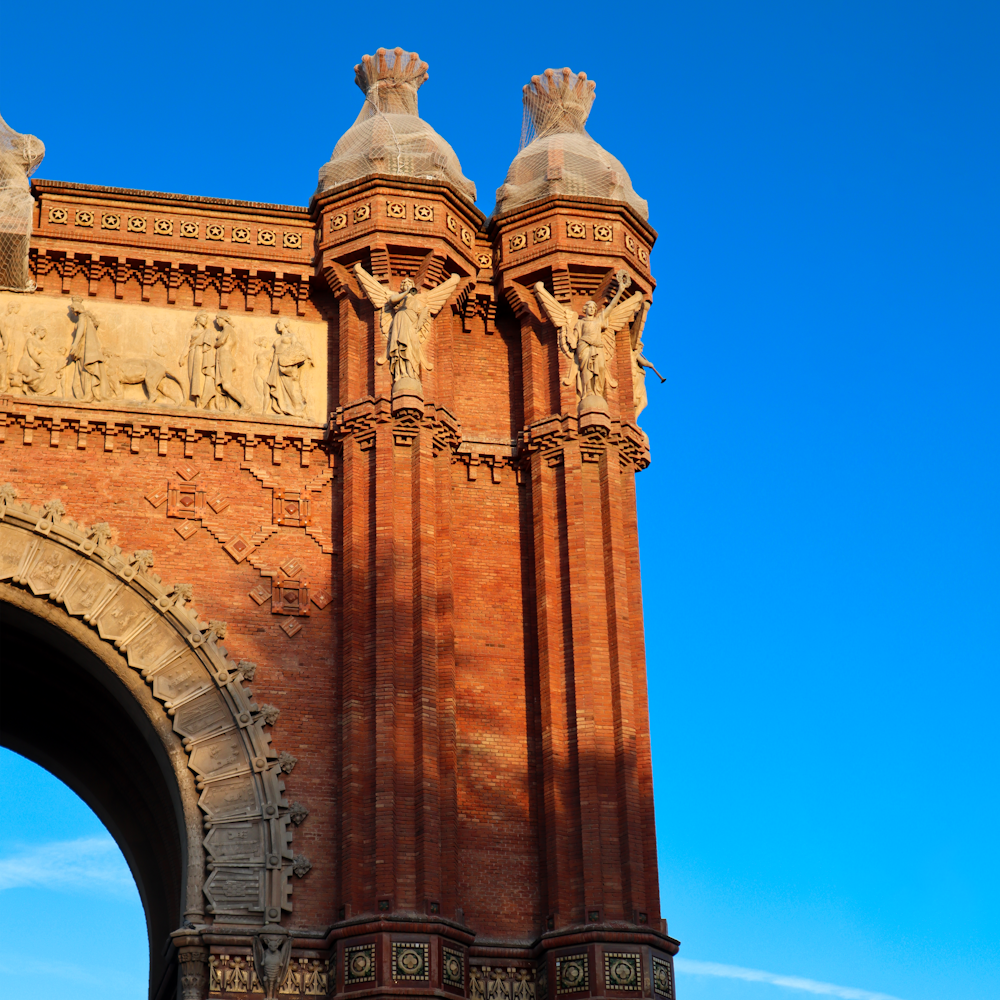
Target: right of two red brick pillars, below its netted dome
<point>599,844</point>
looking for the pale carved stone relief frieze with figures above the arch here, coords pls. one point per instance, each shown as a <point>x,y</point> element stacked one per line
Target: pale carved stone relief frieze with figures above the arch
<point>152,356</point>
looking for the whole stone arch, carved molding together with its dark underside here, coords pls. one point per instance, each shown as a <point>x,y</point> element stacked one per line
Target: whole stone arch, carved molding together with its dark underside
<point>90,609</point>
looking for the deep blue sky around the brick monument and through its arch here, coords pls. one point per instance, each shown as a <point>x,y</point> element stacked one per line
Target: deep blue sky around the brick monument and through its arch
<point>819,529</point>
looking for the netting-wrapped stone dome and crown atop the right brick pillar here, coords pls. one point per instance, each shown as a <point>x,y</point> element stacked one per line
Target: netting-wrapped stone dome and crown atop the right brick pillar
<point>557,156</point>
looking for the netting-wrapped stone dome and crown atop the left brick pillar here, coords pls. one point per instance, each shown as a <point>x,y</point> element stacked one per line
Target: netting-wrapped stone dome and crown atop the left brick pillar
<point>388,136</point>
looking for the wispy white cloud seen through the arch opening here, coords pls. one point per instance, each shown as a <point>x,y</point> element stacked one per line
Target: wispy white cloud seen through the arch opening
<point>89,864</point>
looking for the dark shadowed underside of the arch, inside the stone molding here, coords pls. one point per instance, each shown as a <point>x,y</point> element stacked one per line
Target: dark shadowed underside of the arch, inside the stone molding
<point>65,708</point>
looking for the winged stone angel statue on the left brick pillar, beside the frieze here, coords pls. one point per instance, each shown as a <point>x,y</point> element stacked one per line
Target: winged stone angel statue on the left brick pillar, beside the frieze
<point>405,321</point>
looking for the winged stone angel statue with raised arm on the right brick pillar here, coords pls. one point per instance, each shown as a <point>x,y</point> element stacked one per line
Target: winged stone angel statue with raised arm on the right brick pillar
<point>589,340</point>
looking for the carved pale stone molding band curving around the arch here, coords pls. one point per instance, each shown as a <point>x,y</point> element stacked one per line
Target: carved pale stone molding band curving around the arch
<point>248,839</point>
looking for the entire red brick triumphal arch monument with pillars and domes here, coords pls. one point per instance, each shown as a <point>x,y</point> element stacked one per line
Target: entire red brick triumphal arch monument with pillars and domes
<point>319,563</point>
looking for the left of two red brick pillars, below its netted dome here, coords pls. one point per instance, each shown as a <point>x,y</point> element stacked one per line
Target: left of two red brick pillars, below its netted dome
<point>398,805</point>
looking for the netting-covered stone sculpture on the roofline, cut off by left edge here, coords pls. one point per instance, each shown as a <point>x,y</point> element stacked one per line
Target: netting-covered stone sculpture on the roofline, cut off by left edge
<point>19,158</point>
